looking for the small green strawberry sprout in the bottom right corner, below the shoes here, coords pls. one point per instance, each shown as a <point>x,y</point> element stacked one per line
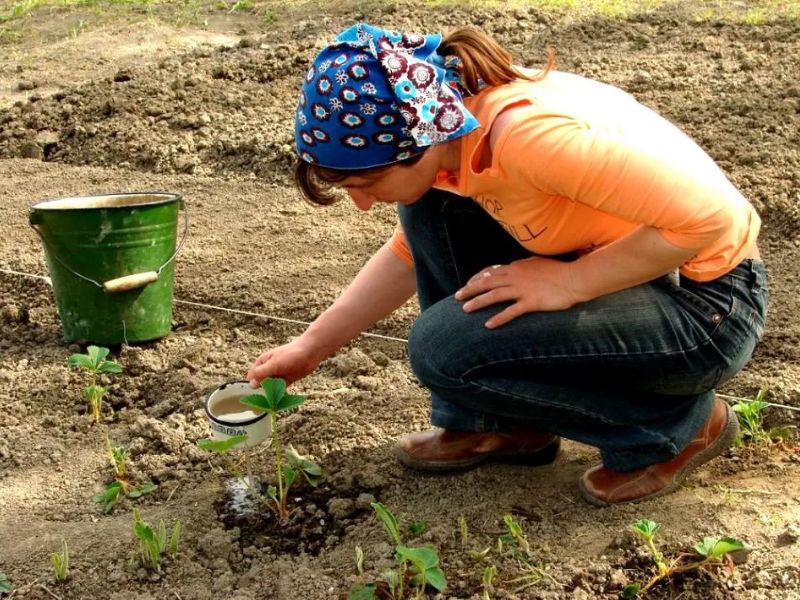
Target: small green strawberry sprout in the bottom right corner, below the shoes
<point>711,553</point>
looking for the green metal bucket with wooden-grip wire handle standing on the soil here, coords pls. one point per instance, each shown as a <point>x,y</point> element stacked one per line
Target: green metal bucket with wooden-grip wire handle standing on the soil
<point>111,261</point>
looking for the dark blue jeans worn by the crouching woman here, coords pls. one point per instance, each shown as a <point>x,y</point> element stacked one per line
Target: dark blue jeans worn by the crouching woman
<point>632,373</point>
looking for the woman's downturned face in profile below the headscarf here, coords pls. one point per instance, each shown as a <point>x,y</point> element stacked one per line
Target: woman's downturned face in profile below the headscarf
<point>404,184</point>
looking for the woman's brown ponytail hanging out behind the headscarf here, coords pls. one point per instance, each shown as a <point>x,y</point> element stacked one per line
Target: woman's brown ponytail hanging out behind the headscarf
<point>484,60</point>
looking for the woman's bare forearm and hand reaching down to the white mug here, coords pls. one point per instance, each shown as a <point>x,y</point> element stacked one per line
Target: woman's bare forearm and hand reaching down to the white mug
<point>382,285</point>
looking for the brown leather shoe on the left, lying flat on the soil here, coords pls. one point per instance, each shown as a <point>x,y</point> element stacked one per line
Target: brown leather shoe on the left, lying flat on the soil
<point>442,450</point>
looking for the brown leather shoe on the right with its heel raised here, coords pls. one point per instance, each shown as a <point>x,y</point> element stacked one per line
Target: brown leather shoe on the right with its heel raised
<point>602,486</point>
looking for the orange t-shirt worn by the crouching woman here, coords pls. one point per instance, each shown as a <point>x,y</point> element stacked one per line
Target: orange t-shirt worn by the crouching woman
<point>583,164</point>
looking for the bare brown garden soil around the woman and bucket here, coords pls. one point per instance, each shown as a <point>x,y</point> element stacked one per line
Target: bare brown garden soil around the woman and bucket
<point>165,109</point>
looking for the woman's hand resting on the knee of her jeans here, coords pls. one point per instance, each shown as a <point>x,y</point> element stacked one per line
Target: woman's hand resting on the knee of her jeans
<point>532,284</point>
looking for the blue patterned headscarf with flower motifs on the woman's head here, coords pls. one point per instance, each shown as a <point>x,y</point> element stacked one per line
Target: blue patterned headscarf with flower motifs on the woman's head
<point>374,96</point>
